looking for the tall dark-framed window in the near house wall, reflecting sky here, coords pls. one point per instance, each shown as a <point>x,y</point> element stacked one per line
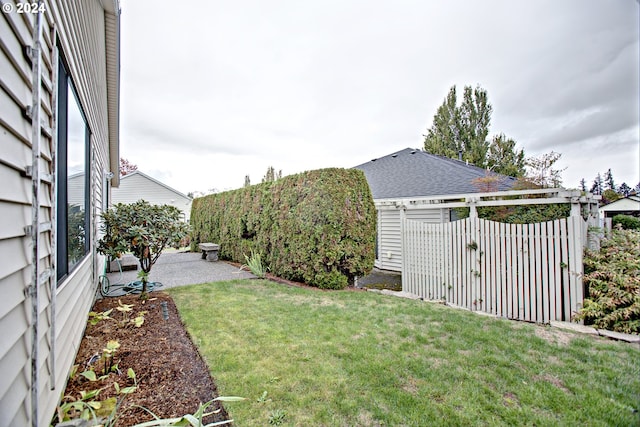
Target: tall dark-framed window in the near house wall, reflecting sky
<point>72,201</point>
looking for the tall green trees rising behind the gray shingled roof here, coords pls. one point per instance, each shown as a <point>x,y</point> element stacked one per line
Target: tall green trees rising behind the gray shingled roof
<point>461,132</point>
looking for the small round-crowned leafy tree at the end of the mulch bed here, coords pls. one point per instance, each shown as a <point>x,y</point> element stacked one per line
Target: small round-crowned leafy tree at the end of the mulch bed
<point>142,229</point>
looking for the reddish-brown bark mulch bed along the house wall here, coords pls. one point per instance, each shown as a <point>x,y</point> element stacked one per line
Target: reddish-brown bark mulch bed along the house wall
<point>171,375</point>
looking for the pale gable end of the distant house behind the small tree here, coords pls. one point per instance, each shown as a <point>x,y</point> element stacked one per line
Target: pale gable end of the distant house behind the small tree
<point>137,185</point>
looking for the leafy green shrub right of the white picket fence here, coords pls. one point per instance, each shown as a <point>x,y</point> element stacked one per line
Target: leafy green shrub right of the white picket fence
<point>612,277</point>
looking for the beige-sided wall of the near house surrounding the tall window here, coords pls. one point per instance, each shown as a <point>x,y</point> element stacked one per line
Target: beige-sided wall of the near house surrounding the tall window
<point>77,29</point>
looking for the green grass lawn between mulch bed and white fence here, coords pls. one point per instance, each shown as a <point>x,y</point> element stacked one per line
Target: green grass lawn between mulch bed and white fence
<point>305,357</point>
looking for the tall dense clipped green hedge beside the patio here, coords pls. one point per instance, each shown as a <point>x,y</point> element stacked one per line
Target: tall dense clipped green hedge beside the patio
<point>317,227</point>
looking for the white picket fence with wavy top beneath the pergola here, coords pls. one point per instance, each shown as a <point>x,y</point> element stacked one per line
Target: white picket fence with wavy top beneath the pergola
<point>530,272</point>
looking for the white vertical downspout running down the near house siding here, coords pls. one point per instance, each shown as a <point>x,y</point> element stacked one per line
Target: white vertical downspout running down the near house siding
<point>36,66</point>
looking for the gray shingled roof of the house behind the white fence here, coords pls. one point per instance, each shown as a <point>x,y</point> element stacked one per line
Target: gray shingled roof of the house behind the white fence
<point>415,173</point>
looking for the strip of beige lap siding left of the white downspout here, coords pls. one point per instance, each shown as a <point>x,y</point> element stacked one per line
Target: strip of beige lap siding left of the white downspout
<point>15,203</point>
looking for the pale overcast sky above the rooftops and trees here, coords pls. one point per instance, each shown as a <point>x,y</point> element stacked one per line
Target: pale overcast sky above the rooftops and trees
<point>212,91</point>
